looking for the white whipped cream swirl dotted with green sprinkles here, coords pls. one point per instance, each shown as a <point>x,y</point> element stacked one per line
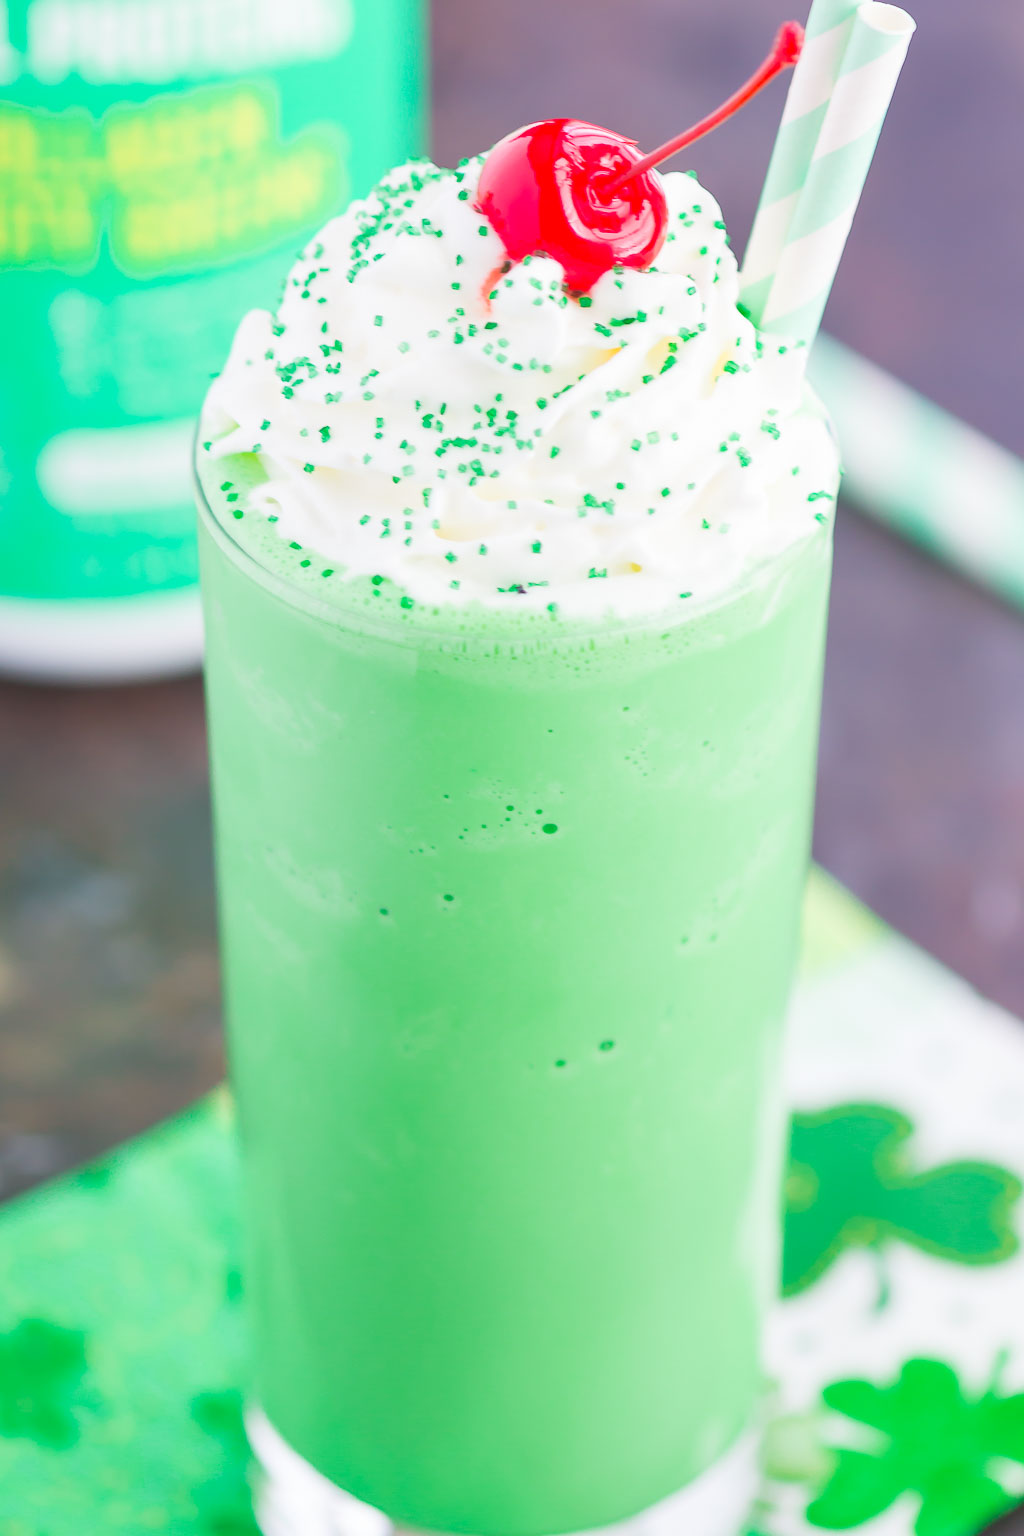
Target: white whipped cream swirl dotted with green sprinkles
<point>478,435</point>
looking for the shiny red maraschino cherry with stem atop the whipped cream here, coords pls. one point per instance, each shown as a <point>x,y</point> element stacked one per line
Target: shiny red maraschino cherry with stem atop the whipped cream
<point>589,197</point>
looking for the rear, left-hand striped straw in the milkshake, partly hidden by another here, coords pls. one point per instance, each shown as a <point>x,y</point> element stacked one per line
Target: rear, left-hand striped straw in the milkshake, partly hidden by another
<point>810,91</point>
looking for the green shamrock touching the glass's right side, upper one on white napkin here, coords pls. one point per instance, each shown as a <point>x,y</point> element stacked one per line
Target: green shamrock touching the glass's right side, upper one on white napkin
<point>853,1185</point>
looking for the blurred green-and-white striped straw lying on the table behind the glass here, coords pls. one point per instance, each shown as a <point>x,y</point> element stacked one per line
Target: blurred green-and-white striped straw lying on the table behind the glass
<point>922,472</point>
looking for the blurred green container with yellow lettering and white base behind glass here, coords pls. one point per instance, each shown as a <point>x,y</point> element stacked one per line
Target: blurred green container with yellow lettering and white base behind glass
<point>159,162</point>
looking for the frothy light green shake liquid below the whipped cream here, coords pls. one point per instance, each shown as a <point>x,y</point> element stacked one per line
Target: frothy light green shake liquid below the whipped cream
<point>509,932</point>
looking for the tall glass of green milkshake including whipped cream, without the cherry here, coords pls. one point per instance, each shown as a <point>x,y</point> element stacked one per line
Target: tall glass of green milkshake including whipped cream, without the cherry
<point>515,640</point>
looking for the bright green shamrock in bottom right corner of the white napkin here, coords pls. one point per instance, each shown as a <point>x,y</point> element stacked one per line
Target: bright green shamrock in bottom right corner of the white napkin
<point>939,1445</point>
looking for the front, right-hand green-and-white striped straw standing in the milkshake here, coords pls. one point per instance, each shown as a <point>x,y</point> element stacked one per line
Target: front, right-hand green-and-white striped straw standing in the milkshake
<point>791,299</point>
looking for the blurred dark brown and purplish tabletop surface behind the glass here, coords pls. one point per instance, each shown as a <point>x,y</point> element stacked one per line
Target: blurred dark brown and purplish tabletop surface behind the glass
<point>110,1013</point>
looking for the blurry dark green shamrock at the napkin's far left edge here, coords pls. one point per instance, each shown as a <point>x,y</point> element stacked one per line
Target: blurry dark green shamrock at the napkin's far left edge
<point>41,1371</point>
